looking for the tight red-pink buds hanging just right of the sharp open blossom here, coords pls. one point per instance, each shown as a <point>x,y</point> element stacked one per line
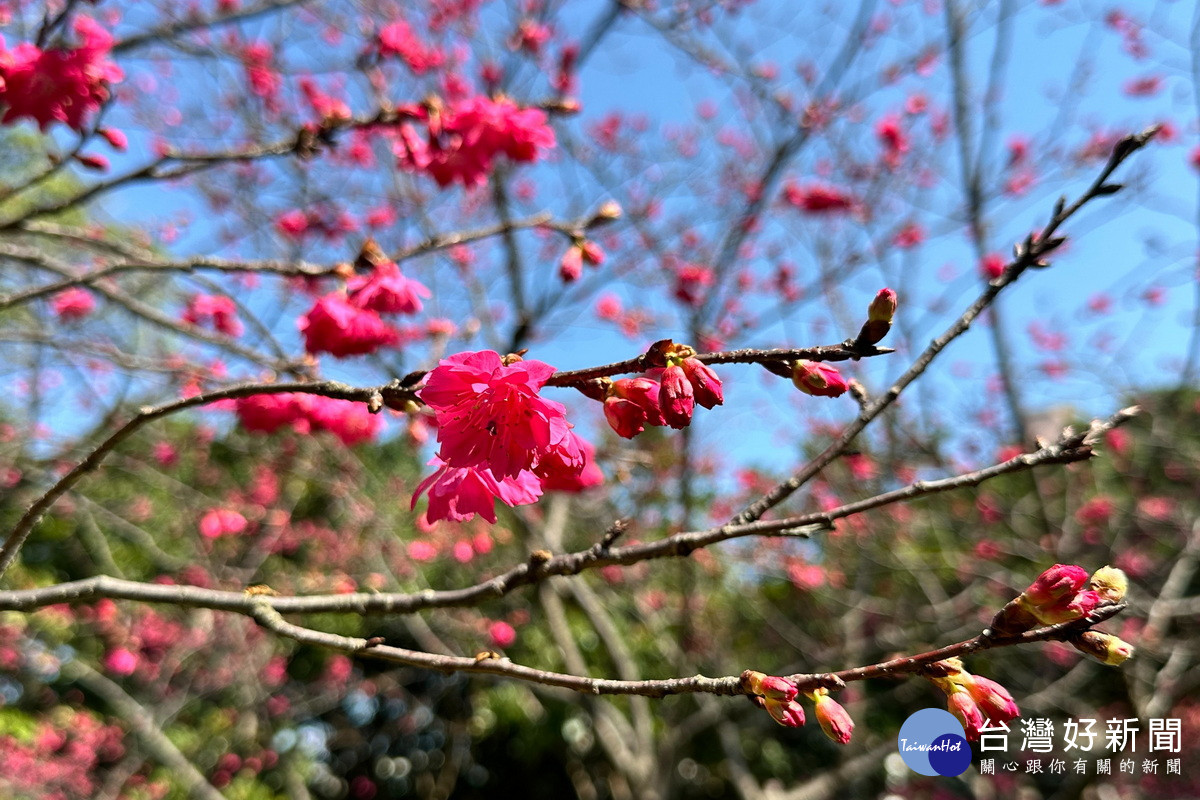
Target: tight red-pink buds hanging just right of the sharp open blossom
<point>633,404</point>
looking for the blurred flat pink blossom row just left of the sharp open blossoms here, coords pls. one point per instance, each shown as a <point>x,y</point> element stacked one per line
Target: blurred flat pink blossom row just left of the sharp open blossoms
<point>349,422</point>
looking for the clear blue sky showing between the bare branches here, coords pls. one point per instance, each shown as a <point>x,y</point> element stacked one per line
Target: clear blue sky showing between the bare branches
<point>1123,250</point>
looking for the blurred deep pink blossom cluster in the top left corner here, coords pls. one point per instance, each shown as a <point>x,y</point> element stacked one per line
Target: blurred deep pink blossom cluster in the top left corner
<point>58,85</point>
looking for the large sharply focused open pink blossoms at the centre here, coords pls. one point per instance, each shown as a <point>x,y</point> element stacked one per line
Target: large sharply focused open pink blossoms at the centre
<point>499,438</point>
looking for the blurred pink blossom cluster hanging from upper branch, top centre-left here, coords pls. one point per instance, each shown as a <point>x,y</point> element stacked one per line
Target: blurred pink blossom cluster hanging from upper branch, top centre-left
<point>463,142</point>
